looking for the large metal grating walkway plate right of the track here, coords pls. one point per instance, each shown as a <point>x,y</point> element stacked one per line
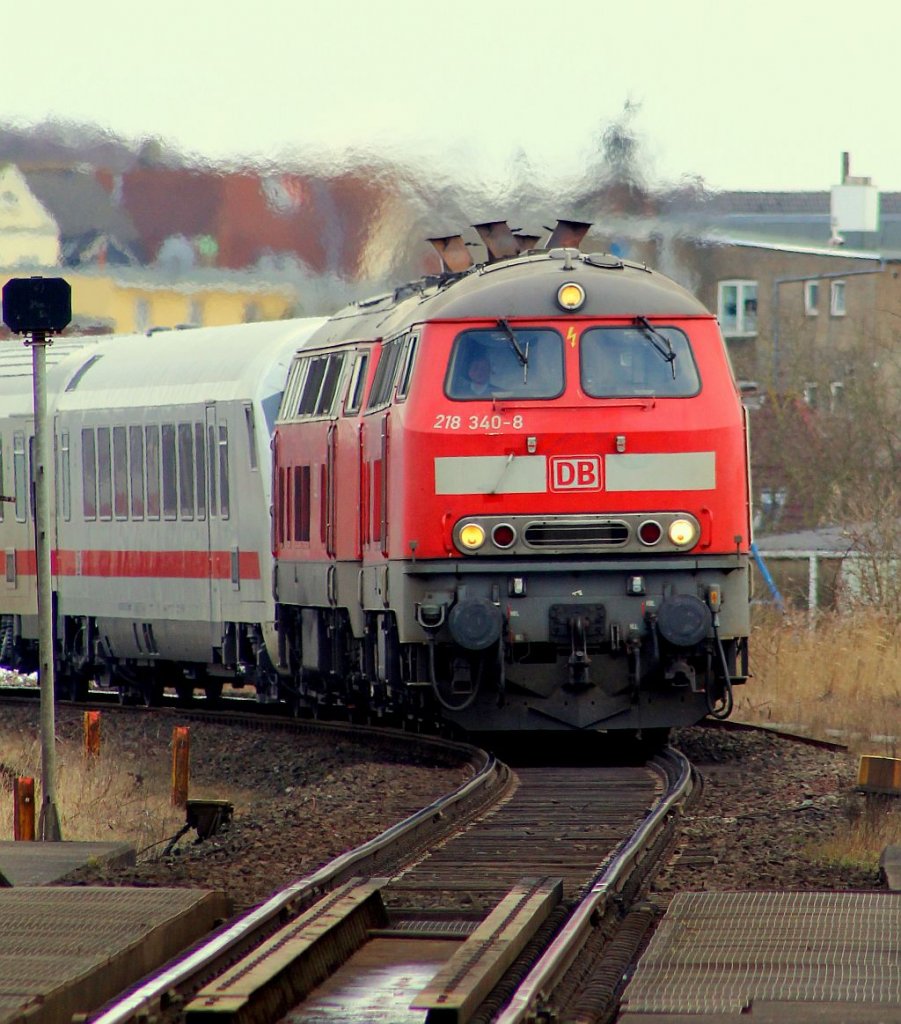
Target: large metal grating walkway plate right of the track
<point>728,953</point>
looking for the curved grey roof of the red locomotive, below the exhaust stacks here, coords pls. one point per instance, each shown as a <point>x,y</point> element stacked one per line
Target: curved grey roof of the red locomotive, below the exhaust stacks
<point>525,286</point>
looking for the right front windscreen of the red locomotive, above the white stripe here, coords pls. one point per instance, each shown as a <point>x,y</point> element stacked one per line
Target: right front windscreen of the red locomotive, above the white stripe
<point>637,363</point>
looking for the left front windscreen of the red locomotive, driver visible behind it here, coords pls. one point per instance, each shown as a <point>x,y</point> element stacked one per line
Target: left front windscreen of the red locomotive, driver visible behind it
<point>509,363</point>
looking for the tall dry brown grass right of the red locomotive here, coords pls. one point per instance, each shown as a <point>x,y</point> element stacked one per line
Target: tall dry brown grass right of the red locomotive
<point>840,678</point>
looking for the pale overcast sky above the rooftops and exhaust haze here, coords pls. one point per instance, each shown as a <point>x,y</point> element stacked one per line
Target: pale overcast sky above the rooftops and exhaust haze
<point>745,96</point>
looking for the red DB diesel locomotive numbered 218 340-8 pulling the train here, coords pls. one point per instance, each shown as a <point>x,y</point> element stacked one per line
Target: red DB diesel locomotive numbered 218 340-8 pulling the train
<point>516,495</point>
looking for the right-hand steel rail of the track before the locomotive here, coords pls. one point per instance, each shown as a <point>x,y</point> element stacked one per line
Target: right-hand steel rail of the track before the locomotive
<point>563,952</point>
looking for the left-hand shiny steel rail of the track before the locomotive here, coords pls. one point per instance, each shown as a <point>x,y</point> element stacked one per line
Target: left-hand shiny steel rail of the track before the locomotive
<point>154,992</point>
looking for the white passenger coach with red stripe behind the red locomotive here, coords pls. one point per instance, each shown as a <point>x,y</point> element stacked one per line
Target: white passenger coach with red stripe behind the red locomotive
<point>162,496</point>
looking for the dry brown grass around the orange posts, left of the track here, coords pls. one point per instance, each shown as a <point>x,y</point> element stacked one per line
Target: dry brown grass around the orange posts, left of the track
<point>123,795</point>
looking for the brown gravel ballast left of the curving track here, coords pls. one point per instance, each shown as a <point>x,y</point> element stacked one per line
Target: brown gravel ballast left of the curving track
<point>314,797</point>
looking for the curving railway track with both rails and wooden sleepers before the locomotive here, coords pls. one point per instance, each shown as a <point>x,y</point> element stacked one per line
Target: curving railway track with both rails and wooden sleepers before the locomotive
<point>455,924</point>
